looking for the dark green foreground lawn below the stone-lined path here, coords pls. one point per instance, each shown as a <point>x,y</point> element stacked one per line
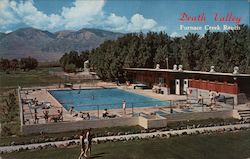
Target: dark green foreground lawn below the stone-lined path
<point>234,145</point>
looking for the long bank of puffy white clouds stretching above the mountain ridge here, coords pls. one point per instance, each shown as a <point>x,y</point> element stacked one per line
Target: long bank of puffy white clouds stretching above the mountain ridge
<point>81,14</point>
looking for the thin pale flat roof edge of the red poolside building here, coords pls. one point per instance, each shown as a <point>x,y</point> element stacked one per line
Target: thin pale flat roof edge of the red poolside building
<point>189,72</point>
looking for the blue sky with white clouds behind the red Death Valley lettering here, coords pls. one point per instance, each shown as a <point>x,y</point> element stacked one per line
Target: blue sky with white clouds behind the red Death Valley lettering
<point>118,15</point>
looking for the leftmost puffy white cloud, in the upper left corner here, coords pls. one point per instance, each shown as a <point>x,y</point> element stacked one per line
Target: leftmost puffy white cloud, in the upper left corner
<point>24,12</point>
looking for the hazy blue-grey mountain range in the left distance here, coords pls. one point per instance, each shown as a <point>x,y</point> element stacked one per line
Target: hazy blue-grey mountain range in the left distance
<point>47,46</point>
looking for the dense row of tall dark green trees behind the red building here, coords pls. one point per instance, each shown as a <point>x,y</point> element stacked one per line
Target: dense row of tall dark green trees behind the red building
<point>224,50</point>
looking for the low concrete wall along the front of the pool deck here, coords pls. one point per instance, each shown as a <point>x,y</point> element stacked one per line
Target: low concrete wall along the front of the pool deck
<point>71,126</point>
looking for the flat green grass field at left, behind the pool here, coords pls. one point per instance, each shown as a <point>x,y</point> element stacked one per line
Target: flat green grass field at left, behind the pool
<point>37,77</point>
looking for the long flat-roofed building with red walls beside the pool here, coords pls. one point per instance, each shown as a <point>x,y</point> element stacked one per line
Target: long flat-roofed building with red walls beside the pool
<point>180,82</point>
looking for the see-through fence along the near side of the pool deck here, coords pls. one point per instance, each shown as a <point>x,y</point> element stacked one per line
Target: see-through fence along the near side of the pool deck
<point>36,115</point>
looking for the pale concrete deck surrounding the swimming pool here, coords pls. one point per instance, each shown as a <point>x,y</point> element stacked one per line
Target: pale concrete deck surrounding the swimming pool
<point>42,95</point>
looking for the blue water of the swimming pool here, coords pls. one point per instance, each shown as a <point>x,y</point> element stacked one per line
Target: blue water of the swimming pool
<point>110,98</point>
